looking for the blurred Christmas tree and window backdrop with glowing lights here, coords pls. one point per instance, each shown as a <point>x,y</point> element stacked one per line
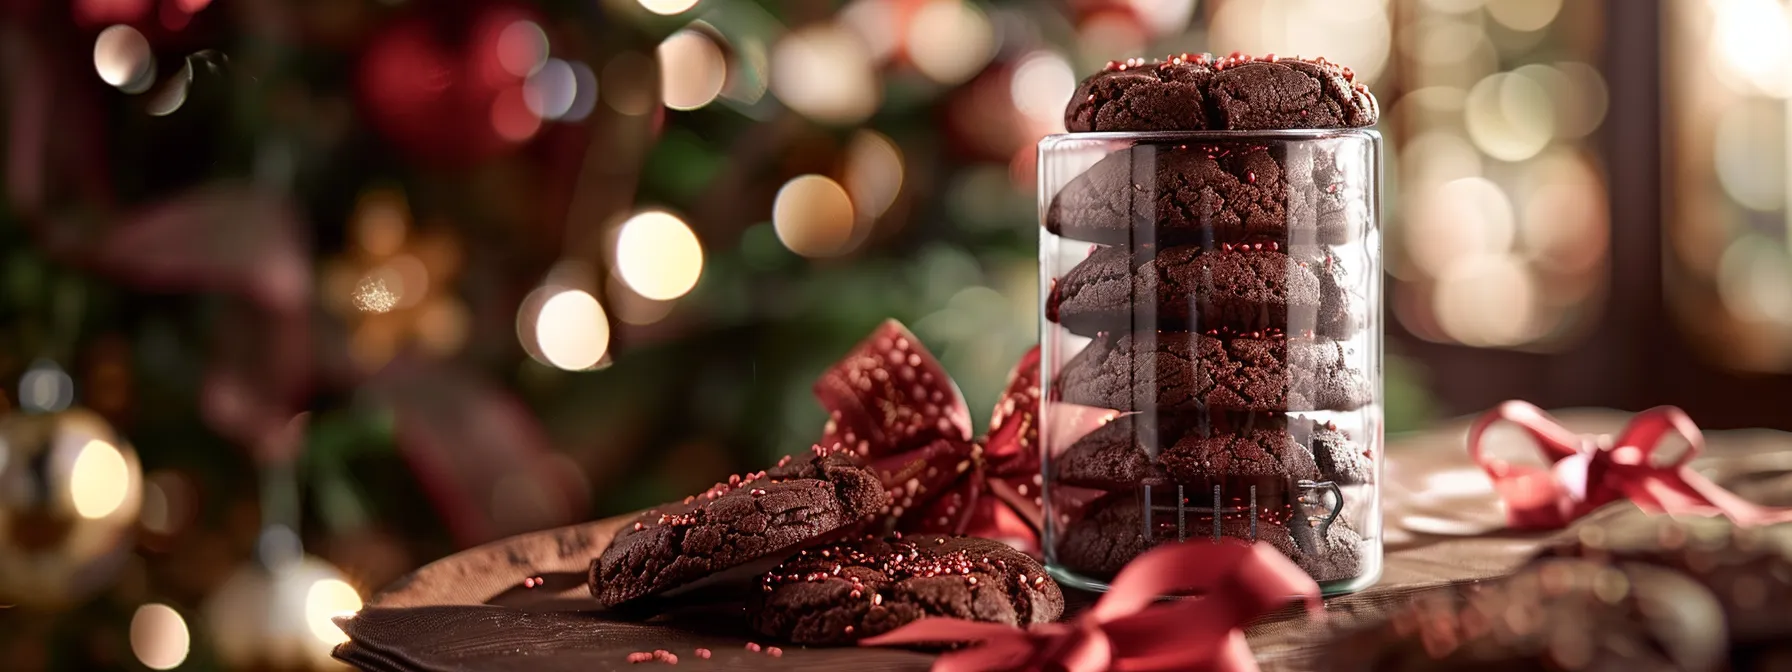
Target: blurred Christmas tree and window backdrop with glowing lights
<point>297,297</point>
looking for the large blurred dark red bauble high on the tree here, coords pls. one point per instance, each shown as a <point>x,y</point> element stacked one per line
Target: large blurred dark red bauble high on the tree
<point>451,92</point>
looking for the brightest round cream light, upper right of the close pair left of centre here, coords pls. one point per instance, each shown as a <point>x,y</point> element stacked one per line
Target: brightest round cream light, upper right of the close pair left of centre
<point>659,255</point>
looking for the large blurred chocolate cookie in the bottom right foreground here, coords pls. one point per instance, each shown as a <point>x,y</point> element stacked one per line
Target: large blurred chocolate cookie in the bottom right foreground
<point>1556,616</point>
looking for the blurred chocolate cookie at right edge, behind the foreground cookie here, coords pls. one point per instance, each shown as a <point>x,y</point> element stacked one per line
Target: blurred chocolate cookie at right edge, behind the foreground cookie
<point>1750,571</point>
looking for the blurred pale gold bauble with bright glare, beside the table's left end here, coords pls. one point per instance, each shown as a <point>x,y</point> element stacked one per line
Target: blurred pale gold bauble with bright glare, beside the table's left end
<point>280,619</point>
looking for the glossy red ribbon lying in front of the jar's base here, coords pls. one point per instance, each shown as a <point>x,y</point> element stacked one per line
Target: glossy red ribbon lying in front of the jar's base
<point>1130,630</point>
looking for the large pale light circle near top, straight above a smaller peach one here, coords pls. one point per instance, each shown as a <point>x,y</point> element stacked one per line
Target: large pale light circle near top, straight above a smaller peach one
<point>825,74</point>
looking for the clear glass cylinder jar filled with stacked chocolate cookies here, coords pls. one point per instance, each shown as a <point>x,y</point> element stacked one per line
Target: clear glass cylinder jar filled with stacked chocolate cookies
<point>1212,347</point>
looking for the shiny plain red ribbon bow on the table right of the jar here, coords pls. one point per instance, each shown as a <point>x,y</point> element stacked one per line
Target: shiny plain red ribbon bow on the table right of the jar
<point>1589,472</point>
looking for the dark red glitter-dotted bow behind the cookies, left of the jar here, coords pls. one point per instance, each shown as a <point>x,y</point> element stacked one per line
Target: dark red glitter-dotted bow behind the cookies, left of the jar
<point>893,406</point>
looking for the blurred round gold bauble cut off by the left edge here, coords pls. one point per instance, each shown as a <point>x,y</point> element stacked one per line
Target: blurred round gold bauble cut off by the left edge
<point>71,490</point>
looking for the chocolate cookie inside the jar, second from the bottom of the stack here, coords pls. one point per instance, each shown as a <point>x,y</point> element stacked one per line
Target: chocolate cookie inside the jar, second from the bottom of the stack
<point>1200,449</point>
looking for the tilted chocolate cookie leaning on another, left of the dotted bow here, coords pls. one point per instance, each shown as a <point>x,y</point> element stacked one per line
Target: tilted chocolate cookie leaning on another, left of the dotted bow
<point>734,524</point>
